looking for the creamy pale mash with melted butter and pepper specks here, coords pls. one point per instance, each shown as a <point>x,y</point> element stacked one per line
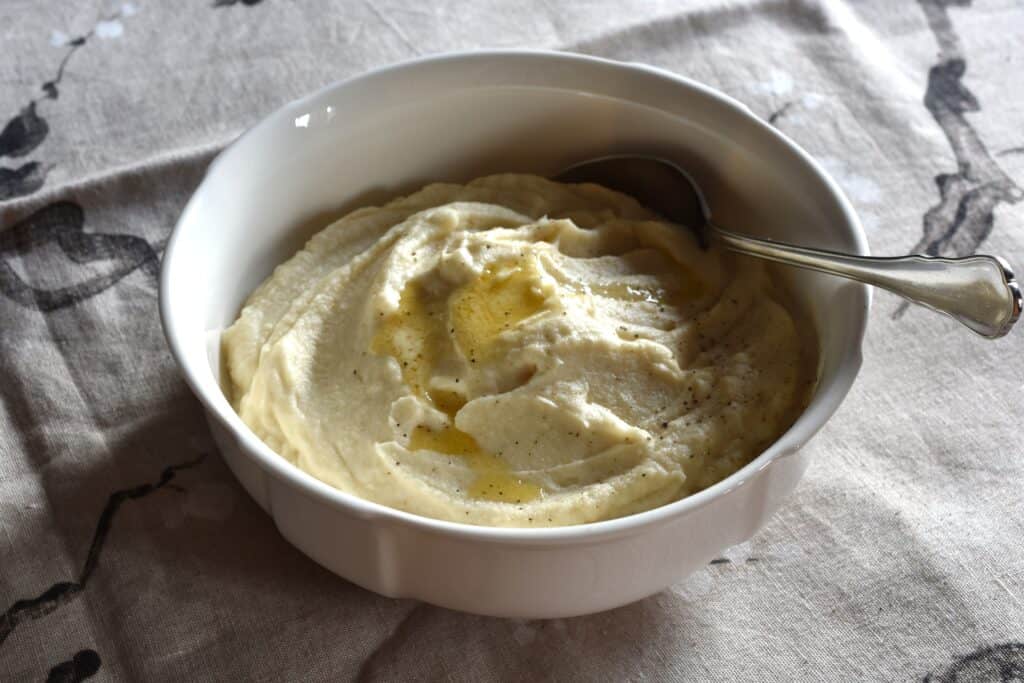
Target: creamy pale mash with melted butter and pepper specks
<point>518,353</point>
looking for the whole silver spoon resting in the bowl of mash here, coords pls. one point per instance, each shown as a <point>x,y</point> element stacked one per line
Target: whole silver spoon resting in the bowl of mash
<point>978,291</point>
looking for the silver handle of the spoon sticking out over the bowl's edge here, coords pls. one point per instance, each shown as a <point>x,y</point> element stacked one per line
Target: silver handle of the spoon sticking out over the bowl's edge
<point>978,291</point>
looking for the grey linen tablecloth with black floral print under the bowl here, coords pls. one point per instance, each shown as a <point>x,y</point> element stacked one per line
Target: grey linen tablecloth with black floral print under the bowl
<point>129,551</point>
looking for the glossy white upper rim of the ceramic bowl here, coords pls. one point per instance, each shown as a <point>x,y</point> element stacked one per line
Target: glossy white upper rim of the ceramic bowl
<point>824,404</point>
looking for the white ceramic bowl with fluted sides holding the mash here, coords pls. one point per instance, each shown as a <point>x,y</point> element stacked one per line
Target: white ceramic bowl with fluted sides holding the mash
<point>458,117</point>
